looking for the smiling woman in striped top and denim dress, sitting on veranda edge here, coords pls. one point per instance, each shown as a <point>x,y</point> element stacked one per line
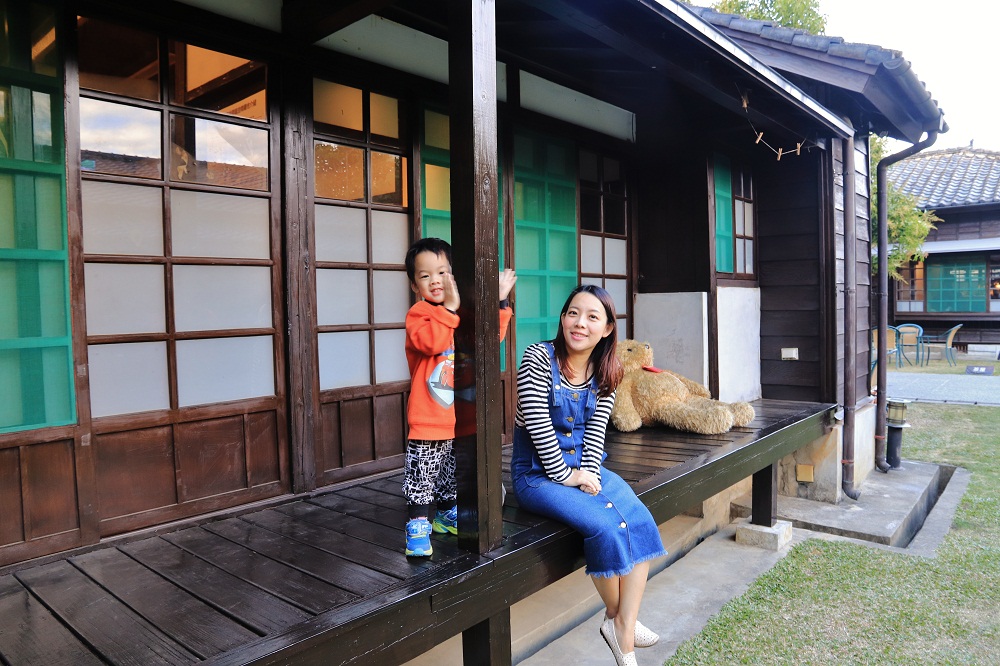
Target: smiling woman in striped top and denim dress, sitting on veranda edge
<point>565,390</point>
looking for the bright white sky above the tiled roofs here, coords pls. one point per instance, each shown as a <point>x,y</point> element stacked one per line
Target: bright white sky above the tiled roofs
<point>953,47</point>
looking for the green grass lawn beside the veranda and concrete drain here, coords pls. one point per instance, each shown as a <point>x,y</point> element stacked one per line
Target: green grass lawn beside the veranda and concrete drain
<point>830,602</point>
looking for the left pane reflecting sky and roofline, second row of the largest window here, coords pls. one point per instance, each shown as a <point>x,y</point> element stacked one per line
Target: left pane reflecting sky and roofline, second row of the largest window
<point>119,139</point>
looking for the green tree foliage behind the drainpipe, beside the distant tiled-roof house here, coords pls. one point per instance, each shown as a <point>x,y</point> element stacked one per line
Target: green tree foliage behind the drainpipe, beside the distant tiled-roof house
<point>908,224</point>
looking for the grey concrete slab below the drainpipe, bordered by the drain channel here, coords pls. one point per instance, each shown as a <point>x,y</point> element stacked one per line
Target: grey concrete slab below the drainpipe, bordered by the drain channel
<point>890,511</point>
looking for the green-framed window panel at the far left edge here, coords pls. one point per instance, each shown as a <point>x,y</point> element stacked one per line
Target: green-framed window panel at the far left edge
<point>36,345</point>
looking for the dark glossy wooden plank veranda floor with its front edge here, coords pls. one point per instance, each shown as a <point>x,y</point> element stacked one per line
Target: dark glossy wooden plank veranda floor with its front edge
<point>323,579</point>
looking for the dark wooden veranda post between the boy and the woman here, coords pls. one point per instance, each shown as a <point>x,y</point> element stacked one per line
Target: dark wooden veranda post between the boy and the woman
<point>474,181</point>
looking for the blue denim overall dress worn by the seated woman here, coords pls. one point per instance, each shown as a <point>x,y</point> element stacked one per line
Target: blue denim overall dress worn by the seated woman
<point>618,530</point>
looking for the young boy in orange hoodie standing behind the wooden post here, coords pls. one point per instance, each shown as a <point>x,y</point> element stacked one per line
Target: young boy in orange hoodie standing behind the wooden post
<point>430,353</point>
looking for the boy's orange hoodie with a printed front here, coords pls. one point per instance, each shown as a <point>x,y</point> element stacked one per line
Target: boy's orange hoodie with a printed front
<point>430,353</point>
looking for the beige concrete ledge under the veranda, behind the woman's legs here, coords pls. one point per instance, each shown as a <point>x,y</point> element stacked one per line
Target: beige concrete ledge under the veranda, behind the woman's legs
<point>546,615</point>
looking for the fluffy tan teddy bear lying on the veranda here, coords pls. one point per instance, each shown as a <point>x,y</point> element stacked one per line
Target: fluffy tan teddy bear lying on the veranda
<point>649,396</point>
